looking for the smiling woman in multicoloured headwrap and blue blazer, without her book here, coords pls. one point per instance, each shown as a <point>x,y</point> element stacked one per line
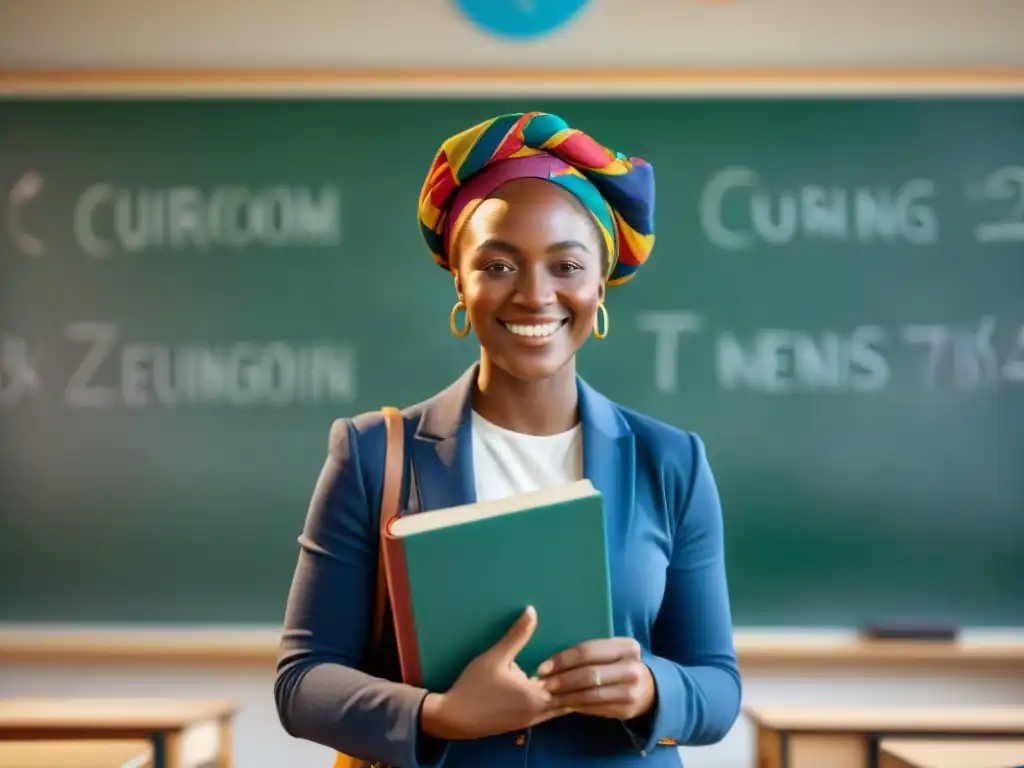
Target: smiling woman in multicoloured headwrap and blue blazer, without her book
<point>534,221</point>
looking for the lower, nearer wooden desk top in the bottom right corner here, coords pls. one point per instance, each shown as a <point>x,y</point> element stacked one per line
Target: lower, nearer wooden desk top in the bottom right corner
<point>997,753</point>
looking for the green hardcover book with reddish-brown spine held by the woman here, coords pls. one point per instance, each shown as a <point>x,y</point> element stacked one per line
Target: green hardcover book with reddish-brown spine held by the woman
<point>459,578</point>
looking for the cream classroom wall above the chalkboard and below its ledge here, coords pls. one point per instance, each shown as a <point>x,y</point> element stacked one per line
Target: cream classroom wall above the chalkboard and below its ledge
<point>123,34</point>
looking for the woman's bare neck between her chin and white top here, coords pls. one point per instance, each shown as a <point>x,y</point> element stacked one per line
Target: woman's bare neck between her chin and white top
<point>539,408</point>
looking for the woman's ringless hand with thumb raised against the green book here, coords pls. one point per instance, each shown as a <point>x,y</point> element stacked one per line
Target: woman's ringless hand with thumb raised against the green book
<point>493,695</point>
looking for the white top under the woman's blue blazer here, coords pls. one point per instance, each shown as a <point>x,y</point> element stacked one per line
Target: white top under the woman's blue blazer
<point>506,463</point>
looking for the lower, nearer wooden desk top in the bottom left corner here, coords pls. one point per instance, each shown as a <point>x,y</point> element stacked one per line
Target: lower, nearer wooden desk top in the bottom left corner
<point>44,754</point>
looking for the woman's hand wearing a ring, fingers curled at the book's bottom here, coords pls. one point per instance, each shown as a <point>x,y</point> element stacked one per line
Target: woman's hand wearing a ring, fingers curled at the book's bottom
<point>605,678</point>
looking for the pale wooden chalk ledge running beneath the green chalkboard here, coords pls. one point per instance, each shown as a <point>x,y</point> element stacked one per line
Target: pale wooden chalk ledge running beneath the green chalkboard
<point>242,648</point>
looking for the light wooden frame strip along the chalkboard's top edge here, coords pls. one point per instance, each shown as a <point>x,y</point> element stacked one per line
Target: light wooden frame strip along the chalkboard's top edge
<point>644,83</point>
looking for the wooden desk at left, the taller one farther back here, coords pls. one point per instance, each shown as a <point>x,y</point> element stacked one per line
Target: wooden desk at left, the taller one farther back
<point>185,734</point>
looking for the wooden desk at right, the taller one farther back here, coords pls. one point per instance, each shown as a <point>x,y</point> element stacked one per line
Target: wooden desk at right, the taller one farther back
<point>789,738</point>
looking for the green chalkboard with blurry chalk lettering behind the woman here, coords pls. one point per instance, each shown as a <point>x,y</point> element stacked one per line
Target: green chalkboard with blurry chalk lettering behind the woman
<point>192,290</point>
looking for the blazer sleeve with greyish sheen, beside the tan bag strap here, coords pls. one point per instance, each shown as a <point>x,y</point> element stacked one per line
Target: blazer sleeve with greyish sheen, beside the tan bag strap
<point>321,693</point>
